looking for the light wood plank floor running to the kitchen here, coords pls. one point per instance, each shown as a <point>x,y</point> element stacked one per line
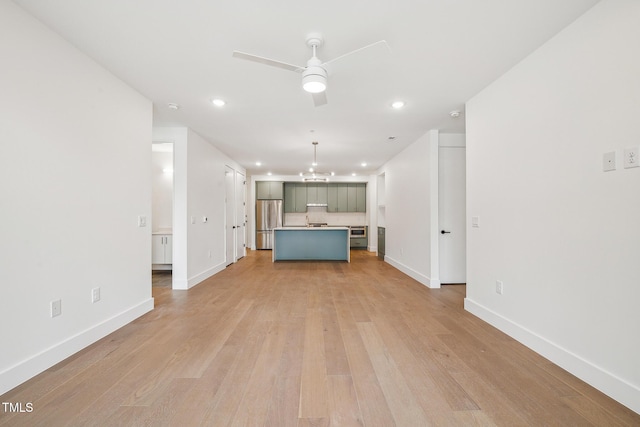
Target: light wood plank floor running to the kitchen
<point>310,344</point>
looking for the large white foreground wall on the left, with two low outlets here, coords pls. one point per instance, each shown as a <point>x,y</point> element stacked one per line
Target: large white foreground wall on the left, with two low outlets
<point>75,169</point>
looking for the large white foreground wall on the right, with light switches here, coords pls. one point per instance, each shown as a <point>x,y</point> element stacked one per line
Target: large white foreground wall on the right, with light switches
<point>560,233</point>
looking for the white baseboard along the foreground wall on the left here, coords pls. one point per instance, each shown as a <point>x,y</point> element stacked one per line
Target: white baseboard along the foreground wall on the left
<point>23,371</point>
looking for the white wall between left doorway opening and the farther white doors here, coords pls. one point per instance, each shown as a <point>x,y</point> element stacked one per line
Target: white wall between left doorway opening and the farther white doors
<point>199,191</point>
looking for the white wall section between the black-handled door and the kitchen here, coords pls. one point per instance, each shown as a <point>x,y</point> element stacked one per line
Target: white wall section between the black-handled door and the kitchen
<point>411,215</point>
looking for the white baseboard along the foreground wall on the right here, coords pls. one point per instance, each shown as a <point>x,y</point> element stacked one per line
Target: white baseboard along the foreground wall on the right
<point>611,385</point>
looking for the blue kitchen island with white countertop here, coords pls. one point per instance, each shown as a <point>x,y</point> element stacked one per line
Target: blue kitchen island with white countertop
<point>311,244</point>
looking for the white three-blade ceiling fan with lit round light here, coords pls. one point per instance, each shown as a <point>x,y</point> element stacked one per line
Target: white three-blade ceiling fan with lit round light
<point>314,74</point>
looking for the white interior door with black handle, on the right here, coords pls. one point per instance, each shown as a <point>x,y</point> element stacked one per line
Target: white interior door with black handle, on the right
<point>452,214</point>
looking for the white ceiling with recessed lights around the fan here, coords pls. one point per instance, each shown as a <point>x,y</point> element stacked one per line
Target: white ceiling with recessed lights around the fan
<point>442,52</point>
